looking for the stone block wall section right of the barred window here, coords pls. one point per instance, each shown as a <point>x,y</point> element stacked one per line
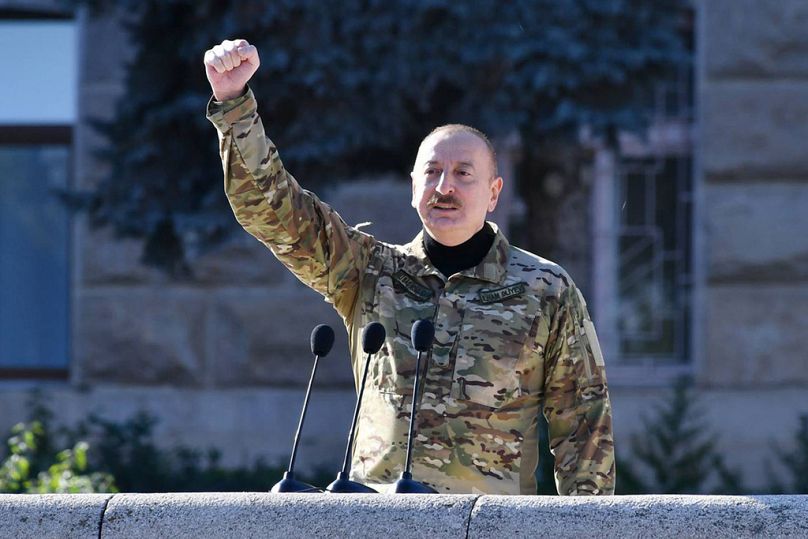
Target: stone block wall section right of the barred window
<point>753,103</point>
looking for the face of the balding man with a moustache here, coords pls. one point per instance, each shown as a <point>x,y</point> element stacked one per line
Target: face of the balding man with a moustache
<point>453,187</point>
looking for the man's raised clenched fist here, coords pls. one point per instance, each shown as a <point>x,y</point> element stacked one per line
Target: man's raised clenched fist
<point>229,66</point>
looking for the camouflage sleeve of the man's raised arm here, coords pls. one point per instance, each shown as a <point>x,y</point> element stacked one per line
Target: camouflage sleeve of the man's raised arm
<point>305,234</point>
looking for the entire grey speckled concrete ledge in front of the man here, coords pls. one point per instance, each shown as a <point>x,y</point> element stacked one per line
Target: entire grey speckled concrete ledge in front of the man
<point>467,516</point>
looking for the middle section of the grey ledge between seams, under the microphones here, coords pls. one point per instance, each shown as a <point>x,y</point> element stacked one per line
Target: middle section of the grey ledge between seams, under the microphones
<point>289,516</point>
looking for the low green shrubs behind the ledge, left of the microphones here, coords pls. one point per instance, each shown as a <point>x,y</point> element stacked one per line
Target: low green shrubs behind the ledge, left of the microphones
<point>109,456</point>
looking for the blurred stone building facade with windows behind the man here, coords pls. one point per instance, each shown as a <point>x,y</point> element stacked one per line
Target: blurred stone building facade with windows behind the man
<point>698,263</point>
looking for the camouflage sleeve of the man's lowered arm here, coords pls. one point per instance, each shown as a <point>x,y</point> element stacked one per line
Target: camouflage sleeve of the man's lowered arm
<point>576,401</point>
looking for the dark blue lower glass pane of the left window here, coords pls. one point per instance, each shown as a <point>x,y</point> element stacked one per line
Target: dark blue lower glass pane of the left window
<point>34,236</point>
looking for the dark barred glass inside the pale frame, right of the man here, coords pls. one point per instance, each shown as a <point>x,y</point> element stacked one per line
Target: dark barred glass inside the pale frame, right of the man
<point>653,272</point>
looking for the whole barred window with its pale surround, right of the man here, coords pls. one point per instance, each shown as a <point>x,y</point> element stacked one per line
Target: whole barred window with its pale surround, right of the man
<point>643,226</point>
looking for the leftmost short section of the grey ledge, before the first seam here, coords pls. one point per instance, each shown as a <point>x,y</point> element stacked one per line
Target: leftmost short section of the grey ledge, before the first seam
<point>51,516</point>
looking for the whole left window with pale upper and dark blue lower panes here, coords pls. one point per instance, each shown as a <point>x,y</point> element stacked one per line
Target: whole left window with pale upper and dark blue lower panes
<point>35,162</point>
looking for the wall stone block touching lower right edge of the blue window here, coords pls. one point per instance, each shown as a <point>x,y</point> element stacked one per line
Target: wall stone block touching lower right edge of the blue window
<point>140,336</point>
